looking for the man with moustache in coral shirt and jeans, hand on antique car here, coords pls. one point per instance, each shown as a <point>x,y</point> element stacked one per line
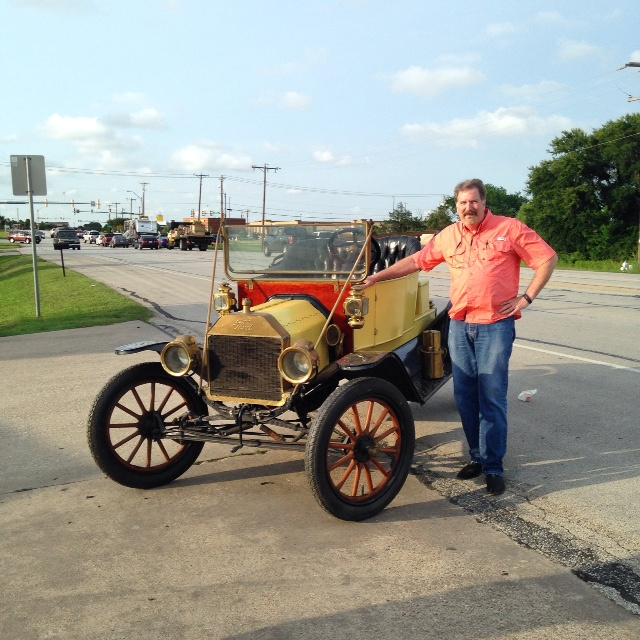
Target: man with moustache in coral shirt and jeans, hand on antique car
<point>483,252</point>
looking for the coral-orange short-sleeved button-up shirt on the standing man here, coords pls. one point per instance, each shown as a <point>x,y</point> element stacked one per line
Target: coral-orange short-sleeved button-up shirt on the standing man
<point>484,264</point>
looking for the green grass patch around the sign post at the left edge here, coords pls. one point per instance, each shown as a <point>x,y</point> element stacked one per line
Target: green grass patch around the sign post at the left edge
<point>65,302</point>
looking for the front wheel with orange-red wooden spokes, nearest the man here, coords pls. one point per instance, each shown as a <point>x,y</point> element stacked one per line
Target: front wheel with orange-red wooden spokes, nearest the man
<point>347,479</point>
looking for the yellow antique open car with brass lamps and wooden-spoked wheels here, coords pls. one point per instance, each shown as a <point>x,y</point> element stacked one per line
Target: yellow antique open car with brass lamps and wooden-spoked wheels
<point>296,355</point>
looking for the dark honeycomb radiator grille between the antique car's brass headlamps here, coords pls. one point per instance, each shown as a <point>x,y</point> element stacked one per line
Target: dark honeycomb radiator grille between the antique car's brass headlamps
<point>245,367</point>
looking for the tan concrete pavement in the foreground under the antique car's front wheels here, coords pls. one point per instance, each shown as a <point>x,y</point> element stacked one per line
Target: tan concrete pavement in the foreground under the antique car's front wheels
<point>237,548</point>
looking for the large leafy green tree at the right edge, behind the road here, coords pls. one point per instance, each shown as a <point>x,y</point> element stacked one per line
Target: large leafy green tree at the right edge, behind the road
<point>585,200</point>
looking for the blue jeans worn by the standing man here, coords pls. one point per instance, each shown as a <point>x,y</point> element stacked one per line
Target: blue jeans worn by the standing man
<point>480,357</point>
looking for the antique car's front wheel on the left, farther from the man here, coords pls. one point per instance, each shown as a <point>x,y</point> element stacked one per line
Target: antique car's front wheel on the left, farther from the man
<point>123,428</point>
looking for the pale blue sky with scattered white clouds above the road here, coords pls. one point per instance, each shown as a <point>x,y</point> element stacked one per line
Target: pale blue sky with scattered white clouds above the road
<point>361,104</point>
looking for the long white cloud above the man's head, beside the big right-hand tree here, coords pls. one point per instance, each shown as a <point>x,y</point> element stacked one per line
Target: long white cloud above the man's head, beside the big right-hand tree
<point>504,122</point>
